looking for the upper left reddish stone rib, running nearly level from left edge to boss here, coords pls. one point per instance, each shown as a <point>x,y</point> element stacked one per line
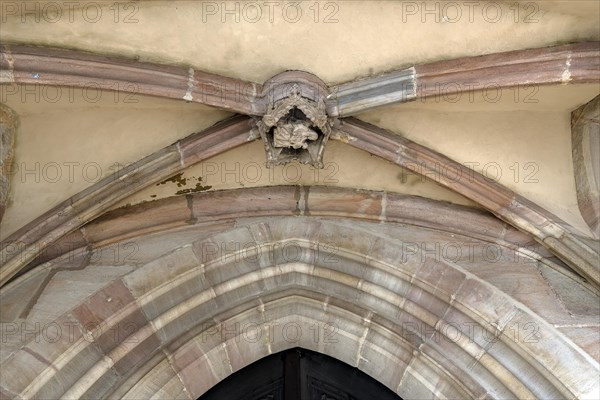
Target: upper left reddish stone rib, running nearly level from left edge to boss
<point>71,68</point>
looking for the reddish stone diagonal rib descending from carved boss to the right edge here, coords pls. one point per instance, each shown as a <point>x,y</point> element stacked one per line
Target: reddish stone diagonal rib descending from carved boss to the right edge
<point>513,208</point>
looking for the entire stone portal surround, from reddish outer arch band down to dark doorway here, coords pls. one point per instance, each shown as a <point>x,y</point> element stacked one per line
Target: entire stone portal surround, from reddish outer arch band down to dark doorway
<point>187,309</point>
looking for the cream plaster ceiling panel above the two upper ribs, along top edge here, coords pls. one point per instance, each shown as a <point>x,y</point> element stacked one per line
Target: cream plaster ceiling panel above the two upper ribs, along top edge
<point>336,40</point>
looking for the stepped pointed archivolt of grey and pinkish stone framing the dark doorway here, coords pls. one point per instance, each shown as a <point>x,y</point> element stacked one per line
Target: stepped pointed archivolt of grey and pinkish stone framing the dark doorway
<point>179,304</point>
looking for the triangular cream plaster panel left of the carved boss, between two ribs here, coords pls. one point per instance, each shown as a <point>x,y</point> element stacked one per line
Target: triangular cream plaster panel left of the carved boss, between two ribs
<point>66,145</point>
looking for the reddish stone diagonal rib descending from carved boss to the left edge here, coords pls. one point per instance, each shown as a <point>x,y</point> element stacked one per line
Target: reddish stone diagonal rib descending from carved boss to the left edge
<point>99,197</point>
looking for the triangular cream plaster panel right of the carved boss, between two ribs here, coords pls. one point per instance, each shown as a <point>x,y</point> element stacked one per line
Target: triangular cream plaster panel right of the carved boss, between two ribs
<point>525,150</point>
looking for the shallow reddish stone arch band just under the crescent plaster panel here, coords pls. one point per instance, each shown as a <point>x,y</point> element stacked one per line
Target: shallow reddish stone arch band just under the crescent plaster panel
<point>220,209</point>
